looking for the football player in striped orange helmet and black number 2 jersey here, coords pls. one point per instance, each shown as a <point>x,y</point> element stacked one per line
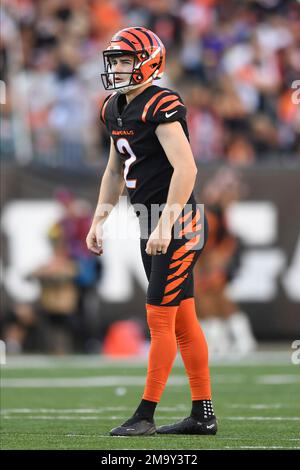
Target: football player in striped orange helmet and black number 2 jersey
<point>150,154</point>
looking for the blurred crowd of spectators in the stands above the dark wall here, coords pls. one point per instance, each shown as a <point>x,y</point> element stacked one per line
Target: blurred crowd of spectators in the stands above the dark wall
<point>234,62</point>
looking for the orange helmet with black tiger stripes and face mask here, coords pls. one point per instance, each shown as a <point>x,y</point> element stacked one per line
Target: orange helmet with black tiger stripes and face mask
<point>149,58</point>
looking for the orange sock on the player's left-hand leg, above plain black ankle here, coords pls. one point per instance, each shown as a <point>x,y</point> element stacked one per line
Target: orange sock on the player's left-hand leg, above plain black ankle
<point>163,349</point>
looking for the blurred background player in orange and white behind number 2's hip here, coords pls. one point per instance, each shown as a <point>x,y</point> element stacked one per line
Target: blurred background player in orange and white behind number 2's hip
<point>226,326</point>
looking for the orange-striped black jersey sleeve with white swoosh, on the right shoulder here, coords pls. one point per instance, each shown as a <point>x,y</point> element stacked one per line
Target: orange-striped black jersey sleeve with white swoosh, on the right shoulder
<point>165,106</point>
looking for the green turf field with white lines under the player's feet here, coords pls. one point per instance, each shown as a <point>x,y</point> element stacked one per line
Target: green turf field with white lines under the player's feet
<point>72,403</point>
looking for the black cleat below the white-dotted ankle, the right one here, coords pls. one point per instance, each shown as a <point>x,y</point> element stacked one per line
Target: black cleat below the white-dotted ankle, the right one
<point>190,425</point>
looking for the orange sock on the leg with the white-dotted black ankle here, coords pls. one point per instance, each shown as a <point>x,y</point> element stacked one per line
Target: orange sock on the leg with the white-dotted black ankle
<point>193,349</point>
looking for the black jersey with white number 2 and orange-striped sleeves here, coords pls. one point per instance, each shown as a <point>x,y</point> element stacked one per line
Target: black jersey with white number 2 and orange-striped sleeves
<point>147,170</point>
